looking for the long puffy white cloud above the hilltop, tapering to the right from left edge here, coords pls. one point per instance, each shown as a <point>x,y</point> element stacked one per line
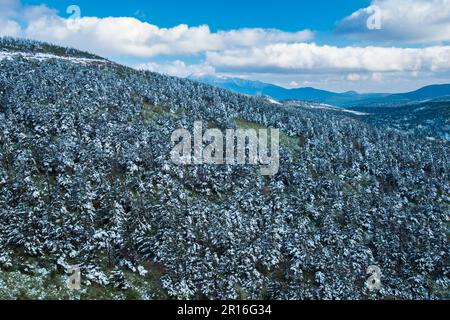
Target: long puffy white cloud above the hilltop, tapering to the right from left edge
<point>130,36</point>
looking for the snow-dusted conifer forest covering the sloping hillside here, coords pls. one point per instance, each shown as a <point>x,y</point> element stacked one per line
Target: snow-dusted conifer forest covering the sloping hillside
<point>86,179</point>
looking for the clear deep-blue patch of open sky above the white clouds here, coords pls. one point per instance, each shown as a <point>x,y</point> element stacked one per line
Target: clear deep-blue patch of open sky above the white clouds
<point>288,15</point>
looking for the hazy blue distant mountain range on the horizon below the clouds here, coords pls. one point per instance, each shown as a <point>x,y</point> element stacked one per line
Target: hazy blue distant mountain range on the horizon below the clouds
<point>346,99</point>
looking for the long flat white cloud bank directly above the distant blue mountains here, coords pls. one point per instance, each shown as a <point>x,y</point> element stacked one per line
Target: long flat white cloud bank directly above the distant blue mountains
<point>302,56</point>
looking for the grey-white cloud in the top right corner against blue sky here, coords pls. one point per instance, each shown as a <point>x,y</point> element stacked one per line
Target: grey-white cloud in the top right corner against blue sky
<point>421,22</point>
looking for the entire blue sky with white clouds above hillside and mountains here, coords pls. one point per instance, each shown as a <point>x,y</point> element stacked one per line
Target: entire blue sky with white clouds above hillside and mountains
<point>340,45</point>
